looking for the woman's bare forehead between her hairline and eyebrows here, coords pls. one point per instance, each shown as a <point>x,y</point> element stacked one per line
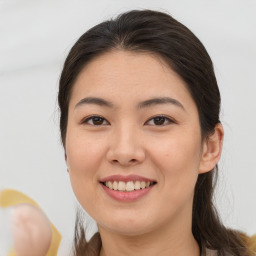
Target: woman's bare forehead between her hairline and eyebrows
<point>129,75</point>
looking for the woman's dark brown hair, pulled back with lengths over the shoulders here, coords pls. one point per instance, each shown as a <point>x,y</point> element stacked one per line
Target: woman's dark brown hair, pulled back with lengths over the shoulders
<point>158,33</point>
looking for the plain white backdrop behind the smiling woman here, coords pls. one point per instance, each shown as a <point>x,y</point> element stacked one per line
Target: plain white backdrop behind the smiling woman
<point>35,37</point>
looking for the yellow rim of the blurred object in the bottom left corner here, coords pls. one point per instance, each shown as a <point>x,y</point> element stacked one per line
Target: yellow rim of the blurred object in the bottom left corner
<point>10,197</point>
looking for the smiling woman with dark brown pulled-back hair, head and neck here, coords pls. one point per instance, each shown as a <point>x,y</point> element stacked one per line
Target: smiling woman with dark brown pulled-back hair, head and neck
<point>140,127</point>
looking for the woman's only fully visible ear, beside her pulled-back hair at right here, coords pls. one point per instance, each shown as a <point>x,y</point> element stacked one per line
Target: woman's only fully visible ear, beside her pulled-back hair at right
<point>211,151</point>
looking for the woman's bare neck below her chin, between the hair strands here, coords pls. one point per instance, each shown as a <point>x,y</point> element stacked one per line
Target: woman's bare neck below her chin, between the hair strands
<point>161,242</point>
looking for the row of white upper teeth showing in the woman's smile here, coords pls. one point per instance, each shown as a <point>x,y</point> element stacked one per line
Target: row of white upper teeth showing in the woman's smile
<point>128,186</point>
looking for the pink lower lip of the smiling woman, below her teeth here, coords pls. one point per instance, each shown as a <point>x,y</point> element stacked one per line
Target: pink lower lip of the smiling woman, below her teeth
<point>126,196</point>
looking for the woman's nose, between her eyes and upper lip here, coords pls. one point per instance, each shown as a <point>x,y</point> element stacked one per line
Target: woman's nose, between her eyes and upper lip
<point>126,148</point>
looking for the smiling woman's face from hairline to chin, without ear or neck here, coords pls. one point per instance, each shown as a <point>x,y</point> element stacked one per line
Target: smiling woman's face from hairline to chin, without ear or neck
<point>131,123</point>
